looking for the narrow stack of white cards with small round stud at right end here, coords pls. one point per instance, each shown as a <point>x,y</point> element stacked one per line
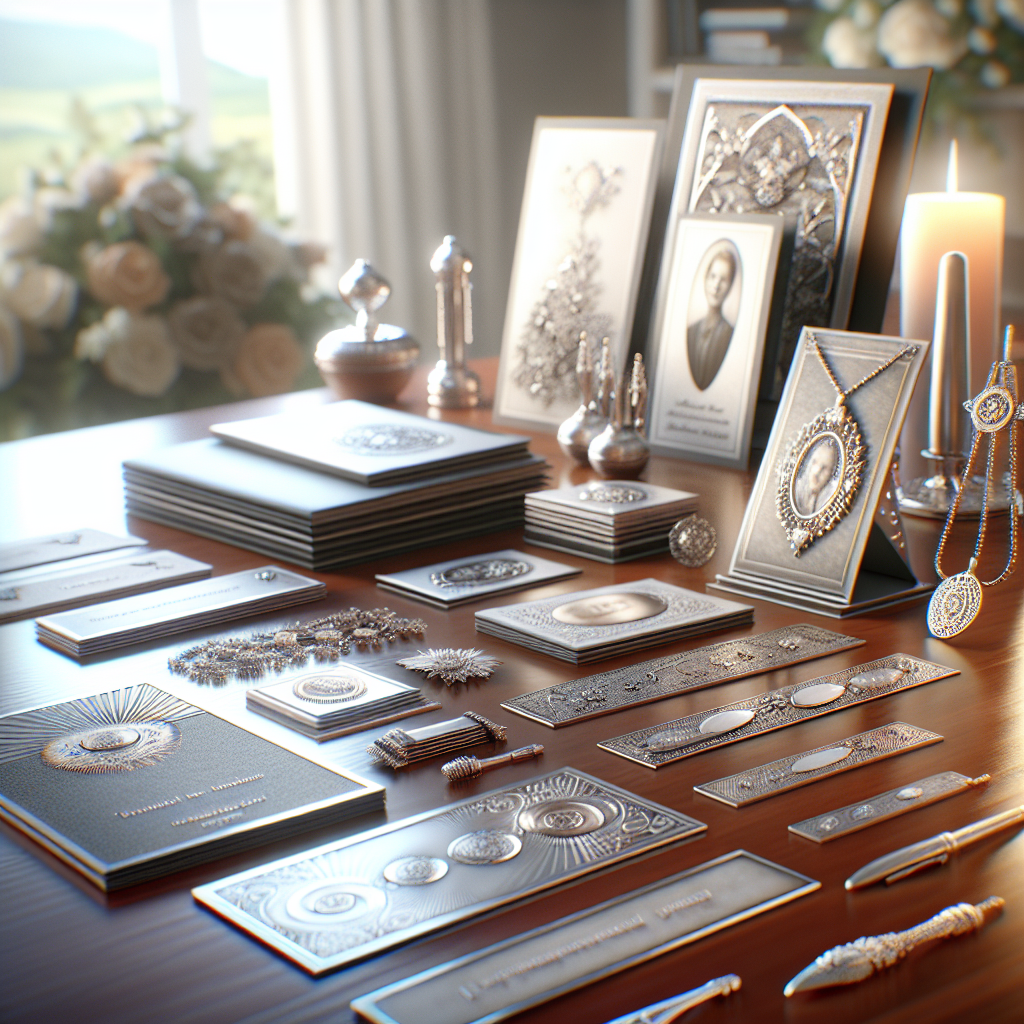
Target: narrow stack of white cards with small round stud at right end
<point>134,620</point>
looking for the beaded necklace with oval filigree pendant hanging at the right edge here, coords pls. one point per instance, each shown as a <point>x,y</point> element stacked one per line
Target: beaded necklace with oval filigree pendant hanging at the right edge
<point>957,601</point>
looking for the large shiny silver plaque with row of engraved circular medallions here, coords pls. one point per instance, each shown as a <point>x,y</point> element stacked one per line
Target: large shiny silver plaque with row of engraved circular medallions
<point>356,898</point>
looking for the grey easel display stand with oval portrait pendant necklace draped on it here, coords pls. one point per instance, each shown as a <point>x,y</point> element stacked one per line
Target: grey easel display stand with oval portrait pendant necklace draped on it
<point>822,532</point>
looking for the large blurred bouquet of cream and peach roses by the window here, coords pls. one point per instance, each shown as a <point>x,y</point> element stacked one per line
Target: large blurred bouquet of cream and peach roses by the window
<point>136,286</point>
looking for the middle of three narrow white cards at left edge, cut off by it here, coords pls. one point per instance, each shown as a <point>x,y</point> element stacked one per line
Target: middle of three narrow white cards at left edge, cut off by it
<point>54,590</point>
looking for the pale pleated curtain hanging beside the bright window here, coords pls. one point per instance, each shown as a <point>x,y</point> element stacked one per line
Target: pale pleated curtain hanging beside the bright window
<point>387,142</point>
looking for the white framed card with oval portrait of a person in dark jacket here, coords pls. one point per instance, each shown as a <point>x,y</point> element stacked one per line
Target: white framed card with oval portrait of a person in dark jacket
<point>713,317</point>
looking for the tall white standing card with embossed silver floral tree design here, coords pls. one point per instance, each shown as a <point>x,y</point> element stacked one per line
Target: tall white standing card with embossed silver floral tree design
<point>583,234</point>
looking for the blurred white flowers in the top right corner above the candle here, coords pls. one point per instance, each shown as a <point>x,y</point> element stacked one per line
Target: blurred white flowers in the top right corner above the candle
<point>973,46</point>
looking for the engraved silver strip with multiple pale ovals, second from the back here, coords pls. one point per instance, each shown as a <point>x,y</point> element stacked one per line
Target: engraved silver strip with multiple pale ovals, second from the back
<point>662,745</point>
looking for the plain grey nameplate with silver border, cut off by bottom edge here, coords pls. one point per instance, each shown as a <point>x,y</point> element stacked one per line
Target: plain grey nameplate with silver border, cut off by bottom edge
<point>531,969</point>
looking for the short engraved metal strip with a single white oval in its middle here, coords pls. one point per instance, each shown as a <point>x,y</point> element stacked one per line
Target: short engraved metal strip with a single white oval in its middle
<point>799,770</point>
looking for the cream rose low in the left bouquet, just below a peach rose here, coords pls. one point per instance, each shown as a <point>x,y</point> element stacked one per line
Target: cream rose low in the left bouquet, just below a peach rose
<point>138,353</point>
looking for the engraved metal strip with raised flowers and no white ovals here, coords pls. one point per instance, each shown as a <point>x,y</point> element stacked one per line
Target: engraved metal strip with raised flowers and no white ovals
<point>605,693</point>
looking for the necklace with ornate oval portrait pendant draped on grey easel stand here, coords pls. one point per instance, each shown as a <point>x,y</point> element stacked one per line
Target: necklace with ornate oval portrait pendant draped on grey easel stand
<point>824,468</point>
